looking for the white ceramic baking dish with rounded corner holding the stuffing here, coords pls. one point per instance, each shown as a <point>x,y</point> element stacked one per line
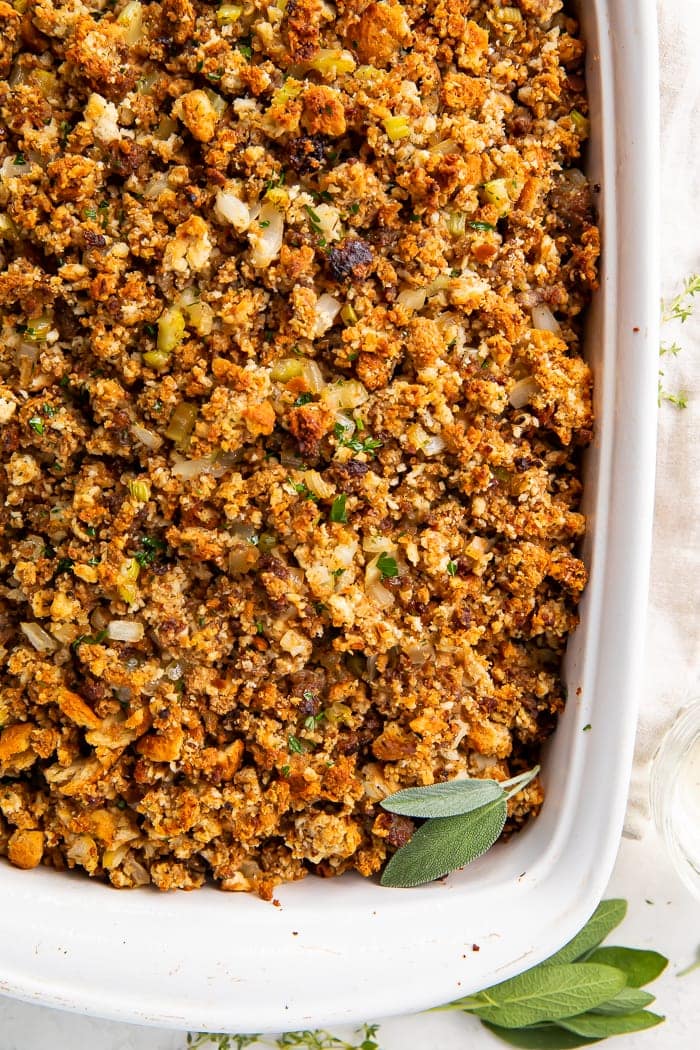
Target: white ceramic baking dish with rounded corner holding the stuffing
<point>345,951</point>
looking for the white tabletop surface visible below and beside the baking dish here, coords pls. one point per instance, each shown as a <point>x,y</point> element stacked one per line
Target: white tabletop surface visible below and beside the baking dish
<point>662,916</point>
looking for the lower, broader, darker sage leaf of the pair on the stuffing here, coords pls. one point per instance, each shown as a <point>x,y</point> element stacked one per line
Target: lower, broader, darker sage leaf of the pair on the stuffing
<point>444,845</point>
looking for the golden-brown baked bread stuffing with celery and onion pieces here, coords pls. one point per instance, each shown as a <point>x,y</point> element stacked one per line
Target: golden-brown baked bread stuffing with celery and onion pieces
<point>291,410</point>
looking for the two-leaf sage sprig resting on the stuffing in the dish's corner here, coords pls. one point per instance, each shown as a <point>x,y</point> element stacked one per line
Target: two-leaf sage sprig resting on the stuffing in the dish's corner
<point>463,820</point>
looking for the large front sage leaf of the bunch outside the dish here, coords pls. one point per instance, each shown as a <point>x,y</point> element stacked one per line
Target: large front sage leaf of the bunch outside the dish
<point>549,993</point>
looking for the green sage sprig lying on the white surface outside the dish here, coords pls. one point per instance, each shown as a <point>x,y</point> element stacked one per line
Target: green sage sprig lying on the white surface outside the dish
<point>579,996</point>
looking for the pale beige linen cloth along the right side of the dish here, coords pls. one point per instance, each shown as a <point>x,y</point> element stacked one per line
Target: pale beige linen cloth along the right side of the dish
<point>673,636</point>
